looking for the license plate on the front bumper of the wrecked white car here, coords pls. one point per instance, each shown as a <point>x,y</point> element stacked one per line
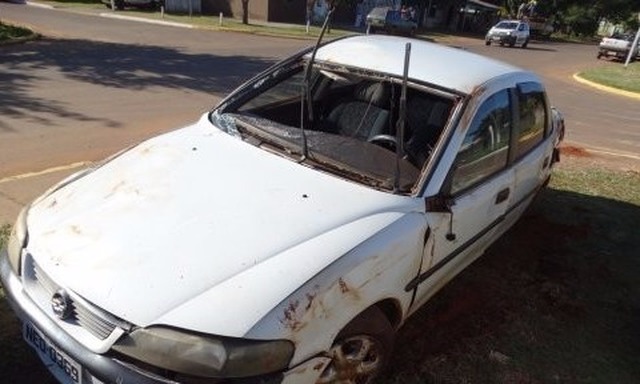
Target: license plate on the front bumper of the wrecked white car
<point>53,357</point>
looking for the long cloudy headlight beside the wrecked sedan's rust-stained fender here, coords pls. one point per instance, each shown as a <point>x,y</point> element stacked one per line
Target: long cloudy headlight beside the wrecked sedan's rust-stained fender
<point>205,356</point>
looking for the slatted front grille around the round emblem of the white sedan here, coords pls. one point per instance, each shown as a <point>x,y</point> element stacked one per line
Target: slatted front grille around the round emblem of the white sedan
<point>85,315</point>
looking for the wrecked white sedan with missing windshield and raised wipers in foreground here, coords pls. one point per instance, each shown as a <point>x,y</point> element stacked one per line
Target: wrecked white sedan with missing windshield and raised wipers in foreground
<point>286,235</point>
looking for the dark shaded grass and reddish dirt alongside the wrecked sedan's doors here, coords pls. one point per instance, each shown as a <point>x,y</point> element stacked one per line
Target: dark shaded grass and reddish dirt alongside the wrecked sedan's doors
<point>554,300</point>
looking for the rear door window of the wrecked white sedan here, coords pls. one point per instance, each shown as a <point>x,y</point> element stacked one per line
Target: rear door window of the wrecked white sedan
<point>532,113</point>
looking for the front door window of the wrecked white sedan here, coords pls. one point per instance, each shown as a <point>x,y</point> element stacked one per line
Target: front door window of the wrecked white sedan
<point>485,149</point>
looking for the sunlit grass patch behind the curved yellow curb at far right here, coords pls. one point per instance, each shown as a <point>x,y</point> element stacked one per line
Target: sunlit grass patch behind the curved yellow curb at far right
<point>615,75</point>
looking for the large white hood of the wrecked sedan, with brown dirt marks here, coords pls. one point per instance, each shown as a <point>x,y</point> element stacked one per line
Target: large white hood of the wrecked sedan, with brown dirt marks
<point>200,230</point>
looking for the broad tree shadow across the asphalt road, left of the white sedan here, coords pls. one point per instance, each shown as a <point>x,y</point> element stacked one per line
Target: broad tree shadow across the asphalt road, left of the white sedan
<point>108,65</point>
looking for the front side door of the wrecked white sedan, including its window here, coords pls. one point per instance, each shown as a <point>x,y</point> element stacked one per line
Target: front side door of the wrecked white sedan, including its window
<point>479,189</point>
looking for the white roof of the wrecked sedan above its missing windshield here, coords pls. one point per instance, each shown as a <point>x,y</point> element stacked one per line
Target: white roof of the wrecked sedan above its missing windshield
<point>443,66</point>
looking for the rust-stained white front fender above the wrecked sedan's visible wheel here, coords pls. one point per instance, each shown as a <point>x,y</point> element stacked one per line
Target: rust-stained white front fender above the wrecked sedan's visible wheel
<point>376,270</point>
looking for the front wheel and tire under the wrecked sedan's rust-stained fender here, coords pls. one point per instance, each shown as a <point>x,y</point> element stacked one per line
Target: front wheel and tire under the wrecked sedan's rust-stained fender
<point>361,350</point>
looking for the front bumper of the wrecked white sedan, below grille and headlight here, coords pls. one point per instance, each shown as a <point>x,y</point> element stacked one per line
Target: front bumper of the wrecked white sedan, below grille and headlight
<point>102,368</point>
